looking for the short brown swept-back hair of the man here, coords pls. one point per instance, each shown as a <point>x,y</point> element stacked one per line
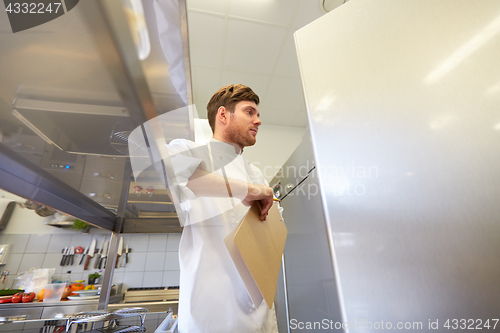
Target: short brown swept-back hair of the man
<point>228,97</point>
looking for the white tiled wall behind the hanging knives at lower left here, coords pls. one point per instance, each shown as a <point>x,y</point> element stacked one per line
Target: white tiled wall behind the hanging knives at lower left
<point>153,261</point>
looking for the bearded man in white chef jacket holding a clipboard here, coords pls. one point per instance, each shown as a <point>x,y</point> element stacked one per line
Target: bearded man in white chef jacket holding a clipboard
<point>215,186</point>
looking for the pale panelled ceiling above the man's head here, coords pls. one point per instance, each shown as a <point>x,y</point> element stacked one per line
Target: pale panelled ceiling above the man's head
<point>250,42</point>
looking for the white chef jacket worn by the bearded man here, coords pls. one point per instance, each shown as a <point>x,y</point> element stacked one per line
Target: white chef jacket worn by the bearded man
<point>213,297</point>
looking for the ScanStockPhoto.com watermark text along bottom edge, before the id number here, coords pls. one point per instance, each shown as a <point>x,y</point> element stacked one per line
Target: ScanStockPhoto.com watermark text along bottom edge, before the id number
<point>328,324</point>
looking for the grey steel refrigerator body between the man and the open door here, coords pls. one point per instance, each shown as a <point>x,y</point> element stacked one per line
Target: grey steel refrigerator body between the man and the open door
<point>306,286</point>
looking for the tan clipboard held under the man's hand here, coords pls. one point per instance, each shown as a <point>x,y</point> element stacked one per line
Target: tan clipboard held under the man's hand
<point>256,248</point>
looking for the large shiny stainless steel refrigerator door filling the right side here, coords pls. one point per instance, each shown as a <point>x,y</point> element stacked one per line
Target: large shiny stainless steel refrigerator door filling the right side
<point>403,102</point>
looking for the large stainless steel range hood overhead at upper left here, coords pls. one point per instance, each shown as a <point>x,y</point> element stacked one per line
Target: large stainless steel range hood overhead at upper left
<point>73,88</point>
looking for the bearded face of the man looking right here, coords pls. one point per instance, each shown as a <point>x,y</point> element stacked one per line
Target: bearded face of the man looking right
<point>243,124</point>
